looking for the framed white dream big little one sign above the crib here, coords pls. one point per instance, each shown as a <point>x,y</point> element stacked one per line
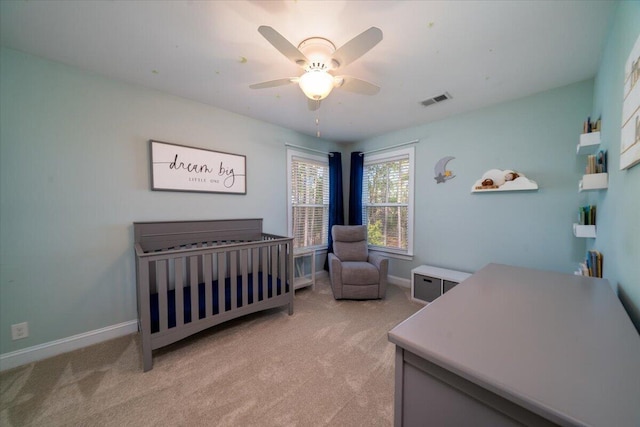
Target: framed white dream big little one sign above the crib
<point>180,168</point>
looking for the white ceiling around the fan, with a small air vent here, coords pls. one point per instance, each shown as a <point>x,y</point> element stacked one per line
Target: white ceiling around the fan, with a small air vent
<point>481,52</point>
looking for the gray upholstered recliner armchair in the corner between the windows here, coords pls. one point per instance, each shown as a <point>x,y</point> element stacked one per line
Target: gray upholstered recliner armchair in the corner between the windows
<point>353,272</point>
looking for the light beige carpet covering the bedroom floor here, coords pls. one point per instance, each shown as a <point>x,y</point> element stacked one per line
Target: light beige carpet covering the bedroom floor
<point>330,363</point>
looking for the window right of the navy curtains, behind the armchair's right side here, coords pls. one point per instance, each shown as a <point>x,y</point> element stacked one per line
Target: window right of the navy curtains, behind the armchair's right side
<point>387,201</point>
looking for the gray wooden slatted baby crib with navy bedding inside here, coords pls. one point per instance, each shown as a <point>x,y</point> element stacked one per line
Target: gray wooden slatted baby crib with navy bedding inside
<point>192,275</point>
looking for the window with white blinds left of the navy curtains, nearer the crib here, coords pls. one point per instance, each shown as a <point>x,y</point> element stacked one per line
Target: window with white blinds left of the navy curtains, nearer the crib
<point>308,201</point>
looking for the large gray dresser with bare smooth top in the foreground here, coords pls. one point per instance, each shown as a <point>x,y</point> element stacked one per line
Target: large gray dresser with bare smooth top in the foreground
<point>513,346</point>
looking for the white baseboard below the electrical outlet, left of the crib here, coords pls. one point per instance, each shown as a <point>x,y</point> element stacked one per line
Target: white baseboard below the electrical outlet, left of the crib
<point>54,348</point>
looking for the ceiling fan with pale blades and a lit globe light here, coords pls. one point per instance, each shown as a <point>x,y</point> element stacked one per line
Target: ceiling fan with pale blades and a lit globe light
<point>319,57</point>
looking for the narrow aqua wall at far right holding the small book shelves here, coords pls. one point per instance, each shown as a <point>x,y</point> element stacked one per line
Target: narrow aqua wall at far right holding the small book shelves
<point>619,207</point>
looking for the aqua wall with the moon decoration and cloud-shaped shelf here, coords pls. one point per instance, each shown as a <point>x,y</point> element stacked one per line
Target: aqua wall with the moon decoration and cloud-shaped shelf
<point>536,136</point>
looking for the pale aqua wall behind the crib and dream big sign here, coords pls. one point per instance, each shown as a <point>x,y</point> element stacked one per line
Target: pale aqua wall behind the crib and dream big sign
<point>74,176</point>
